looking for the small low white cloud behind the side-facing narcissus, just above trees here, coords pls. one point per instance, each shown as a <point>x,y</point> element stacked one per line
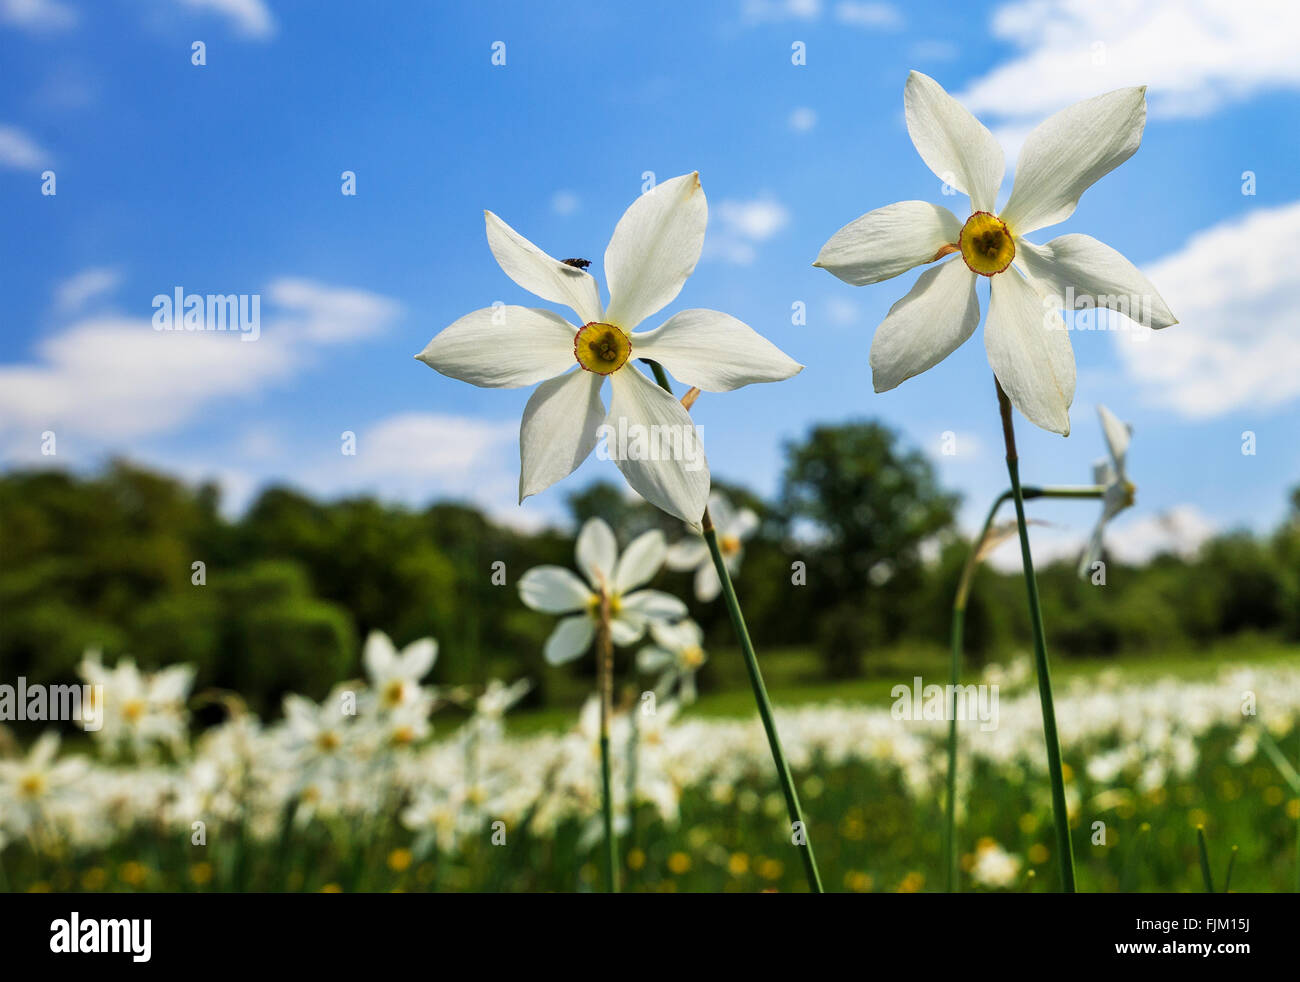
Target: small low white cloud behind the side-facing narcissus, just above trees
<point>1132,539</point>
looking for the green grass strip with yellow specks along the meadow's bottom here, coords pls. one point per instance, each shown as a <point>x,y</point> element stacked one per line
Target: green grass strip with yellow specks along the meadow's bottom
<point>872,834</point>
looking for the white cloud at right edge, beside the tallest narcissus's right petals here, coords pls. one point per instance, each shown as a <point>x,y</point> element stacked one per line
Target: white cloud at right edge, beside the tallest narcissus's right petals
<point>1234,289</point>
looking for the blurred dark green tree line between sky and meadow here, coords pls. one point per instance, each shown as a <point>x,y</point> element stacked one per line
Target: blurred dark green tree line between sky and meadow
<point>280,599</point>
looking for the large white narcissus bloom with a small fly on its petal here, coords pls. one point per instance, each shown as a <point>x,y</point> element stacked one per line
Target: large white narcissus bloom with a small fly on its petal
<point>653,250</point>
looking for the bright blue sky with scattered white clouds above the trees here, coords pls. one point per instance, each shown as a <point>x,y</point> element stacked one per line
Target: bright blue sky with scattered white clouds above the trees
<point>227,179</point>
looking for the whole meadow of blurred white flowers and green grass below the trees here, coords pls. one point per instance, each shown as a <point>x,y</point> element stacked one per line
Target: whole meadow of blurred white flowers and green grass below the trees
<point>361,791</point>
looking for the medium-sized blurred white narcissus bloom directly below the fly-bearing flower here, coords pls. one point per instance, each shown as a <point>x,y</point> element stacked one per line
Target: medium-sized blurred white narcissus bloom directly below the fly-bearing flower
<point>558,591</point>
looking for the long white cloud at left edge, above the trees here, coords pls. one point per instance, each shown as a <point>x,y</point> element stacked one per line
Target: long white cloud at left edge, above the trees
<point>115,378</point>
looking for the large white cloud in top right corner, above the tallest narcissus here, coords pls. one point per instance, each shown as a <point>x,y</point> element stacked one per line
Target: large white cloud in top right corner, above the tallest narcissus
<point>1197,55</point>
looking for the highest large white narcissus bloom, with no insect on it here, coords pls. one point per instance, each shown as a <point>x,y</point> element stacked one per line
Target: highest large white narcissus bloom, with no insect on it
<point>1026,338</point>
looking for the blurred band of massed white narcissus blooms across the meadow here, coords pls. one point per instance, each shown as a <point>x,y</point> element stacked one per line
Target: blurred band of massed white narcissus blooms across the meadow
<point>326,767</point>
